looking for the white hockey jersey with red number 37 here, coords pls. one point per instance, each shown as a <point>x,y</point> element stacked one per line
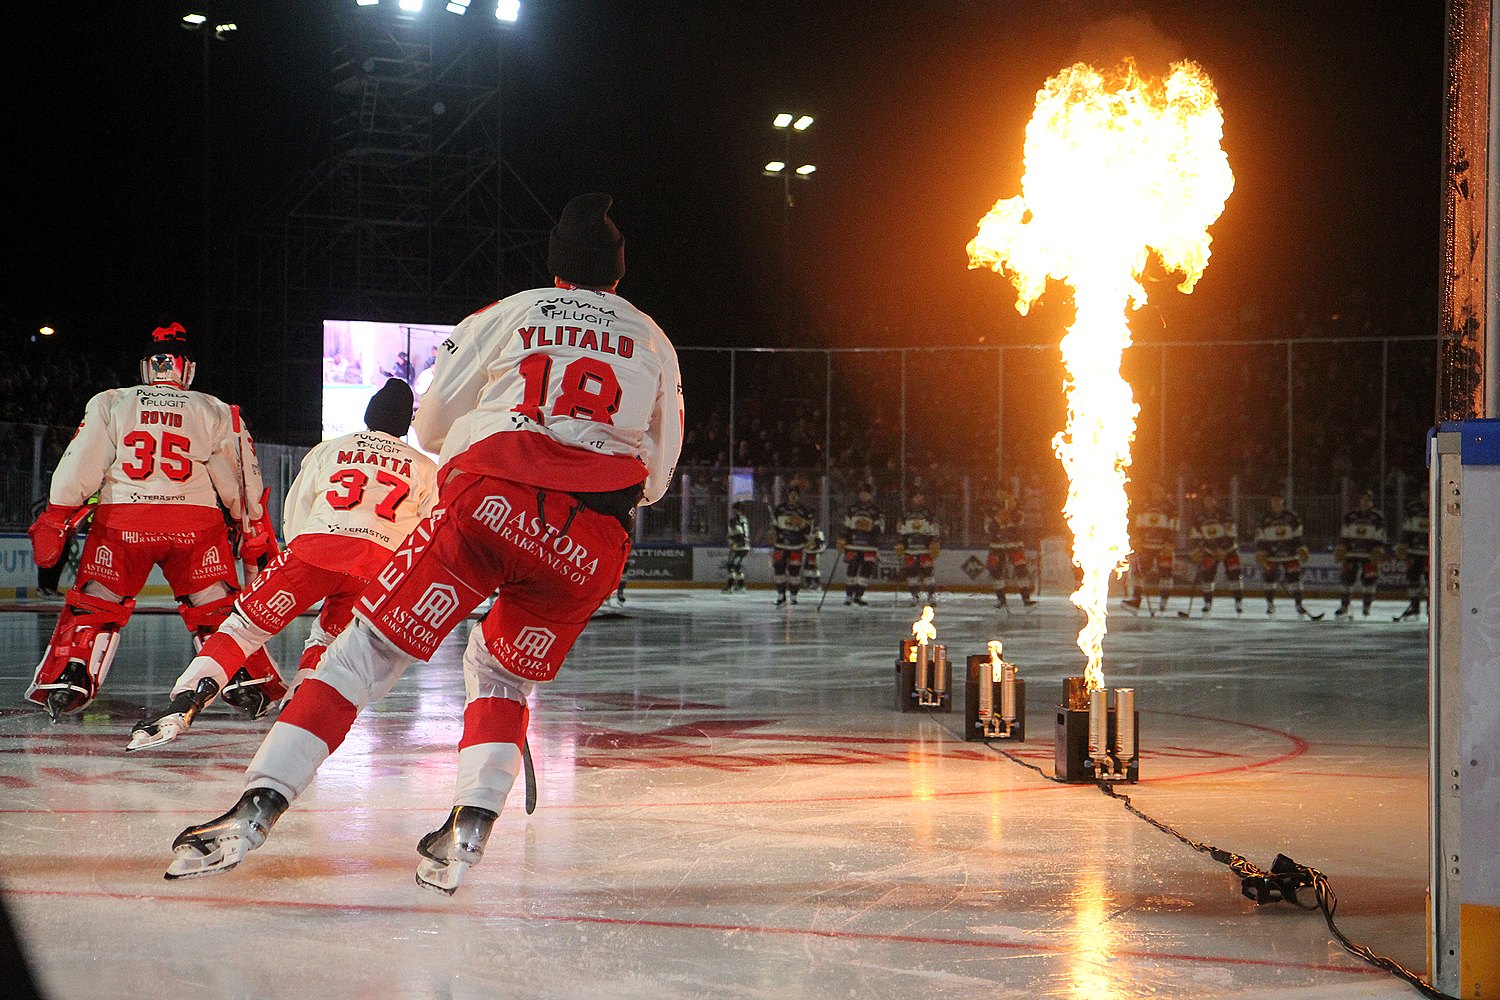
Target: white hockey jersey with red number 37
<point>365,485</point>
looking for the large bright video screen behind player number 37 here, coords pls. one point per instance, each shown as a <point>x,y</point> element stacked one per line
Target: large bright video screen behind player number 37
<point>358,359</point>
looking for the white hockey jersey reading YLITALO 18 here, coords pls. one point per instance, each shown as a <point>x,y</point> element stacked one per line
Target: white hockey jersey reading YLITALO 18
<point>559,388</point>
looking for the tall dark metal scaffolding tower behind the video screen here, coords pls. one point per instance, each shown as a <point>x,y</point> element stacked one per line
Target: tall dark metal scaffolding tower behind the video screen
<point>413,214</point>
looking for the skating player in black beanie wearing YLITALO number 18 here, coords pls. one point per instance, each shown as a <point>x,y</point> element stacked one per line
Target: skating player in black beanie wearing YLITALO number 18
<point>557,412</point>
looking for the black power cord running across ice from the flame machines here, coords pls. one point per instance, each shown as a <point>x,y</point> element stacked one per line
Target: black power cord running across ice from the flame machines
<point>1286,882</point>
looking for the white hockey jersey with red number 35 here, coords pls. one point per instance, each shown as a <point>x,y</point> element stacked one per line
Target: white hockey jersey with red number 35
<point>172,455</point>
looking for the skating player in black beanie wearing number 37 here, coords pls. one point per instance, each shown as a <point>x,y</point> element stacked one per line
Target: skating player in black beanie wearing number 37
<point>355,500</point>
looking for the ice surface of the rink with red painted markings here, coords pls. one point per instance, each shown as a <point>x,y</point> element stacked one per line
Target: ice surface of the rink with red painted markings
<point>730,807</point>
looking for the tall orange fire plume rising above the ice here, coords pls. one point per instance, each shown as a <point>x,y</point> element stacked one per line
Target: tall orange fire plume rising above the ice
<point>1118,167</point>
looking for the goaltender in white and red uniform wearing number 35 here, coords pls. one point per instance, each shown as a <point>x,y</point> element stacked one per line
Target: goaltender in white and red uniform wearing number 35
<point>163,460</point>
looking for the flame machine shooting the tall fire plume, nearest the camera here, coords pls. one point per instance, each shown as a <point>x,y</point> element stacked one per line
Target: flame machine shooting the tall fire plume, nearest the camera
<point>1097,740</point>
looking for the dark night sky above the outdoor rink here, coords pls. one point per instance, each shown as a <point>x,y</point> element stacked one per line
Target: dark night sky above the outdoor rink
<point>1333,131</point>
